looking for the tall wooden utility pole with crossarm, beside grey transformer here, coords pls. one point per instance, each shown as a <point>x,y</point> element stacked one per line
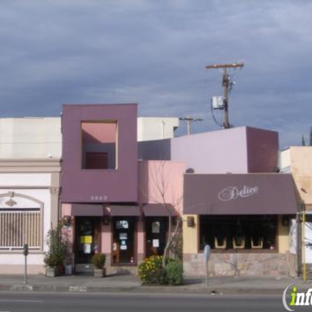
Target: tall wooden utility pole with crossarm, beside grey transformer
<point>225,85</point>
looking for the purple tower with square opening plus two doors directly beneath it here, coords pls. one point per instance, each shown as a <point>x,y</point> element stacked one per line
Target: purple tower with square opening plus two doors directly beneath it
<point>100,182</point>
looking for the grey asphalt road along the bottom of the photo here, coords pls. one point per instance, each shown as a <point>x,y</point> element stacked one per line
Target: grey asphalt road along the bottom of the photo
<point>89,302</point>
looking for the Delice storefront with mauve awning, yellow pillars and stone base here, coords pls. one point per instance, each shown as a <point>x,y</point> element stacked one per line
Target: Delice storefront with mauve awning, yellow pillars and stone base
<point>244,218</point>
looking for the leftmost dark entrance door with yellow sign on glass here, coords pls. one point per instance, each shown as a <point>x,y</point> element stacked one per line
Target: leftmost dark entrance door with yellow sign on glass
<point>86,239</point>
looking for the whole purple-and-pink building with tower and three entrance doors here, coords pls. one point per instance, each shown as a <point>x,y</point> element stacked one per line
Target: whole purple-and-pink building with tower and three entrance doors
<point>115,204</point>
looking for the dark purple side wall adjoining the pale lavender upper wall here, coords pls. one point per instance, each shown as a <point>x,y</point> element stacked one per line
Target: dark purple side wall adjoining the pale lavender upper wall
<point>262,150</point>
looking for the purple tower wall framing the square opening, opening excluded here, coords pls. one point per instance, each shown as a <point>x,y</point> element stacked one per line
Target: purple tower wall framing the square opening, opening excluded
<point>81,185</point>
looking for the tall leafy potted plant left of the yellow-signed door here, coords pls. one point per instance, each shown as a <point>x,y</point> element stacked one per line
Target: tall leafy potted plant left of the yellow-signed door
<point>54,258</point>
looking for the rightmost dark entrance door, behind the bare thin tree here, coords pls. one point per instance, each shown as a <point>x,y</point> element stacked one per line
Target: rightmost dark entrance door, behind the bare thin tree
<point>156,233</point>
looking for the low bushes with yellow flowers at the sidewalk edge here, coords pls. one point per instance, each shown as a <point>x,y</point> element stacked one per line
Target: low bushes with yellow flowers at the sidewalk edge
<point>151,271</point>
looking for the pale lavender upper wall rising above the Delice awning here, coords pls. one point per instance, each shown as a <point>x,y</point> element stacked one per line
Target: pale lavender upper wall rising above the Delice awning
<point>213,152</point>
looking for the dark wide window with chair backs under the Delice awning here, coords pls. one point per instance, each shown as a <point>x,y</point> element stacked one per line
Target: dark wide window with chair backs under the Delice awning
<point>238,232</point>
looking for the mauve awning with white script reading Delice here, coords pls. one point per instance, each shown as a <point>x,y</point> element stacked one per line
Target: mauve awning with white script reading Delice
<point>232,194</point>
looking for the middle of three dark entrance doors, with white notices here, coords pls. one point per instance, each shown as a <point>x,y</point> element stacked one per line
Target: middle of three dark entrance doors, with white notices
<point>123,240</point>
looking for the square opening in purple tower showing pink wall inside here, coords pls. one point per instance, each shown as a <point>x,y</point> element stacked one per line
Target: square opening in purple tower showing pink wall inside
<point>99,144</point>
